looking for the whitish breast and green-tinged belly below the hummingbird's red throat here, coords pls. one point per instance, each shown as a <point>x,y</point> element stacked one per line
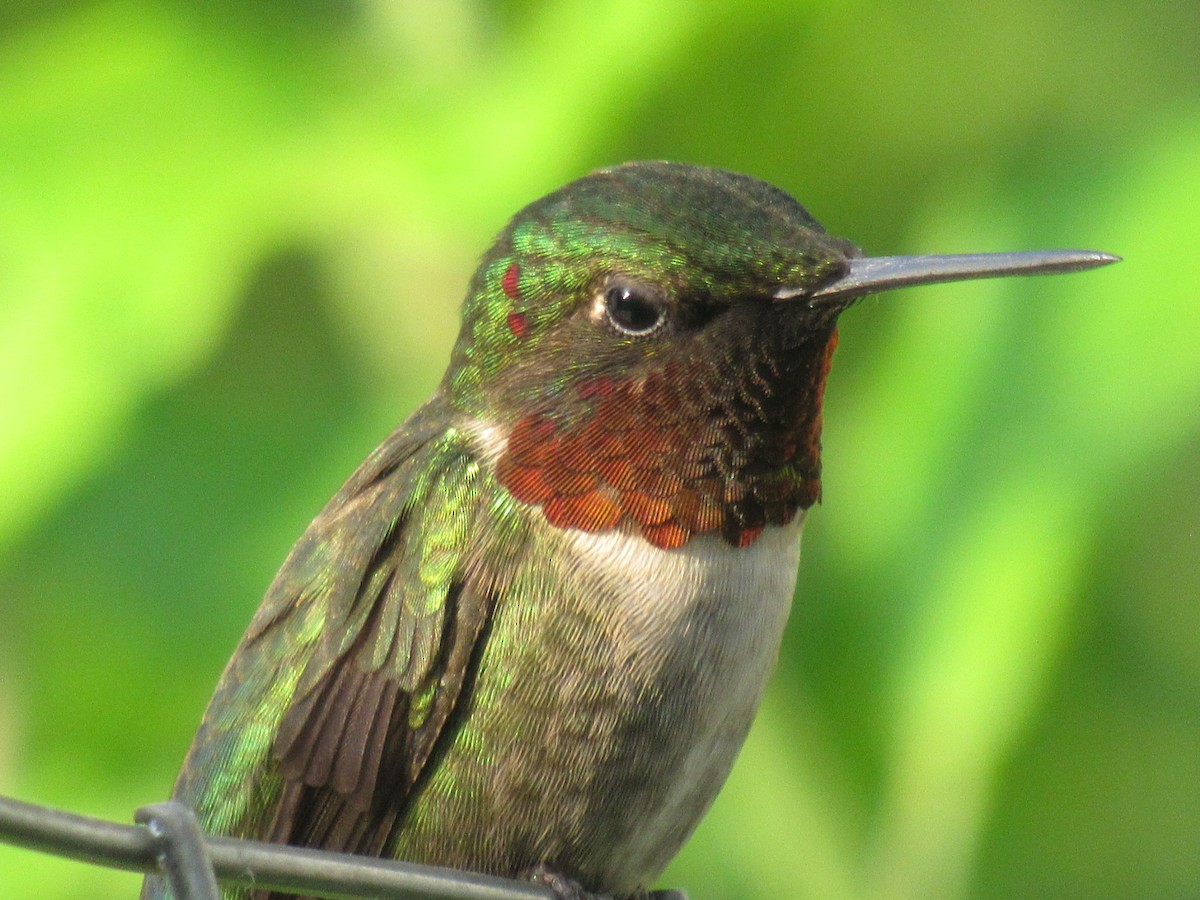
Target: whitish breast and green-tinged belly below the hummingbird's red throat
<point>616,689</point>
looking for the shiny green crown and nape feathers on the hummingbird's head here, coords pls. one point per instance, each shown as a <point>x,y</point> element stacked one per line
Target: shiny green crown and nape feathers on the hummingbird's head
<point>740,238</point>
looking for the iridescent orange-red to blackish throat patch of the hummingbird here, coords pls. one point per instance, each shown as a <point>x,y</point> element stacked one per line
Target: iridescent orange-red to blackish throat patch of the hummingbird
<point>657,455</point>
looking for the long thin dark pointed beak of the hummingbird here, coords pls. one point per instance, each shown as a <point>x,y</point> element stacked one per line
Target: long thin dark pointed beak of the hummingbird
<point>871,275</point>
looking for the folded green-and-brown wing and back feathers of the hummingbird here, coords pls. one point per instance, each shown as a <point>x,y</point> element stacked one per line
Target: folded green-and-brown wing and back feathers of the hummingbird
<point>353,665</point>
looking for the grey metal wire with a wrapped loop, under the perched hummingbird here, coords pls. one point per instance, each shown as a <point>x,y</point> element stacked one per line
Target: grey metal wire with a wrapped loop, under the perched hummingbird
<point>158,845</point>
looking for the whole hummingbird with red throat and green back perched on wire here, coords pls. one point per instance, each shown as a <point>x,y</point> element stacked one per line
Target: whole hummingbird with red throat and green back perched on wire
<point>530,634</point>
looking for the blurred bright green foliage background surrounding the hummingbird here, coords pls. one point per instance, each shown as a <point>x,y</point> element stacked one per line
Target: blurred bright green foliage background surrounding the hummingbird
<point>233,241</point>
